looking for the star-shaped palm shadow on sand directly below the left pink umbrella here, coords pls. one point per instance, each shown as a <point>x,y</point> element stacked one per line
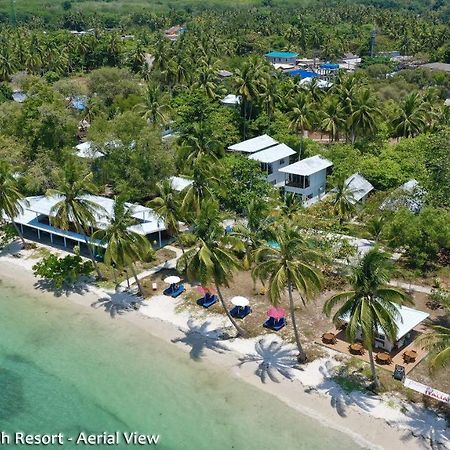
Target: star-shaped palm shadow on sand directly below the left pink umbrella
<point>199,338</point>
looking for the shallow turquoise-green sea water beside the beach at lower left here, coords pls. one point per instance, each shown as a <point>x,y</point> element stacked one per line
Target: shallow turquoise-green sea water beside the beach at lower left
<point>64,370</point>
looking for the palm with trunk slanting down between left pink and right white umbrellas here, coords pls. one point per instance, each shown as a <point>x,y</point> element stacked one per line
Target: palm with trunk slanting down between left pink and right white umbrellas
<point>212,258</point>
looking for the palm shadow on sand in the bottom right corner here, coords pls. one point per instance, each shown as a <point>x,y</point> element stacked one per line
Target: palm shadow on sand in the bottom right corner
<point>427,425</point>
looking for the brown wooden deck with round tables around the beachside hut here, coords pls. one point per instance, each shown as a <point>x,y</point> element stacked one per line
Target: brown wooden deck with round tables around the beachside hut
<point>342,345</point>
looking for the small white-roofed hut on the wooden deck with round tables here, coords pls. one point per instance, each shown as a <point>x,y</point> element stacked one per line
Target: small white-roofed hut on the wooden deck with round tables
<point>407,319</point>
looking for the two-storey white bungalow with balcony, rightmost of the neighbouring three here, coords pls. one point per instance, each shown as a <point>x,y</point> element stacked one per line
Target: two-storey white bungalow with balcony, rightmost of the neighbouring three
<point>307,177</point>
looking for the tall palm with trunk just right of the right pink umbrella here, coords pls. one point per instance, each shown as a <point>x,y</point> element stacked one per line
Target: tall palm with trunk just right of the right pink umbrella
<point>292,264</point>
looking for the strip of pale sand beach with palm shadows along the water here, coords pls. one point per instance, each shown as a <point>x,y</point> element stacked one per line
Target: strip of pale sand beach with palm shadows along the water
<point>264,362</point>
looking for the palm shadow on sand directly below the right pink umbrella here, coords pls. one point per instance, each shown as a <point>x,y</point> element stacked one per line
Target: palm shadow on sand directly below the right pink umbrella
<point>273,358</point>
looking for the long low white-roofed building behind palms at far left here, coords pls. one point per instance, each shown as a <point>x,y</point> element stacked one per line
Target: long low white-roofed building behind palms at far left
<point>36,221</point>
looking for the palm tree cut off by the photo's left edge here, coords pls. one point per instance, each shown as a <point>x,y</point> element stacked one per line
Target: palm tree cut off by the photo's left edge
<point>10,197</point>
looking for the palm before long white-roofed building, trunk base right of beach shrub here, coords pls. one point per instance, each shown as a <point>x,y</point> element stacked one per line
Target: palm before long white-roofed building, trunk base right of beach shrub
<point>74,206</point>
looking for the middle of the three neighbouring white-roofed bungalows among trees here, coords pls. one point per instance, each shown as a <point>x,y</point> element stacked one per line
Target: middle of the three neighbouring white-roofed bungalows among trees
<point>272,159</point>
